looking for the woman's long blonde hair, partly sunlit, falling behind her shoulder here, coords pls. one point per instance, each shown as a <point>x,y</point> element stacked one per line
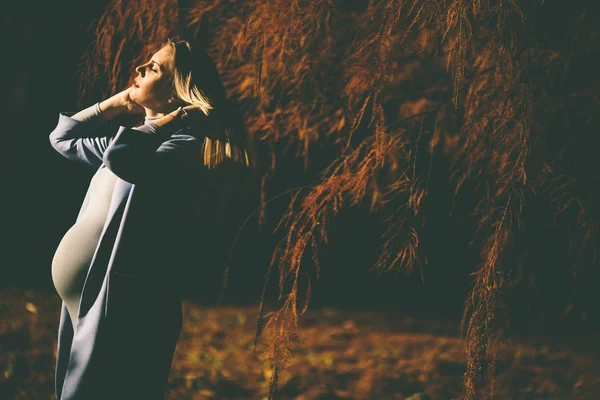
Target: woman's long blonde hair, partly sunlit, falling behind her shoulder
<point>228,139</point>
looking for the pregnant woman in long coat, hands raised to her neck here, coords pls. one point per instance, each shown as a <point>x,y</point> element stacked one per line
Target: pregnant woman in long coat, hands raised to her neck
<point>118,268</point>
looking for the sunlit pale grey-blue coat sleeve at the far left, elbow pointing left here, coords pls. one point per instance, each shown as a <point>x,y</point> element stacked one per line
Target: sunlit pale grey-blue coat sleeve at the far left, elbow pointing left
<point>80,141</point>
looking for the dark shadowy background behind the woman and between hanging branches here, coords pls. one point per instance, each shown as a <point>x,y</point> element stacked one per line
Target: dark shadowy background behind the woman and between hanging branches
<point>42,193</point>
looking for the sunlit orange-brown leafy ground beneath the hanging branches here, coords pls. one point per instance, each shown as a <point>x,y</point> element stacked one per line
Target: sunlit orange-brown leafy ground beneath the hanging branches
<point>340,355</point>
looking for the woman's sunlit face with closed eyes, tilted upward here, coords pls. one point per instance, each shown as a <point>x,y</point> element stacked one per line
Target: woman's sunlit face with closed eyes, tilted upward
<point>151,89</point>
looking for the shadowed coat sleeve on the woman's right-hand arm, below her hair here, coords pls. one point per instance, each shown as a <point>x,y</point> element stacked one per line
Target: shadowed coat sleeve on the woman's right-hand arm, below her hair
<point>139,155</point>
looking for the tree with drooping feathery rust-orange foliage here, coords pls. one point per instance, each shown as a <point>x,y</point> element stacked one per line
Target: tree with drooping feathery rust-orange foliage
<point>504,92</point>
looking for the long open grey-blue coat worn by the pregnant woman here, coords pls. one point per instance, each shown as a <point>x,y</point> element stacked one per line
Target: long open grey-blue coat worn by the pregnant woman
<point>129,316</point>
